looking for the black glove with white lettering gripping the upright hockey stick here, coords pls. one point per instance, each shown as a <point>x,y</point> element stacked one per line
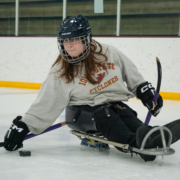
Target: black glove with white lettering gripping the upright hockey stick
<point>146,92</point>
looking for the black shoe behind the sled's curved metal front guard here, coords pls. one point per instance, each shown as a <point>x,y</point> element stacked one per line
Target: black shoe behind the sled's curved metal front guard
<point>140,134</point>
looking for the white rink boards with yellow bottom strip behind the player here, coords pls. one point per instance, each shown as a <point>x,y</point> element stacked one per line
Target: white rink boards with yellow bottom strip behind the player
<point>26,61</point>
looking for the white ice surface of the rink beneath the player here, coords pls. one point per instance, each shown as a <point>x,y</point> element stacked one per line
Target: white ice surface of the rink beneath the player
<point>58,155</point>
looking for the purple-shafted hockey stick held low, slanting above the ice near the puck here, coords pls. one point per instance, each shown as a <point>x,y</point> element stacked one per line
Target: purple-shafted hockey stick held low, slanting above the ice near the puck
<point>47,130</point>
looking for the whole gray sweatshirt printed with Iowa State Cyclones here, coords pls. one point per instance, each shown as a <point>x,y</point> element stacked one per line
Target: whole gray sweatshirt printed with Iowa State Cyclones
<point>119,83</point>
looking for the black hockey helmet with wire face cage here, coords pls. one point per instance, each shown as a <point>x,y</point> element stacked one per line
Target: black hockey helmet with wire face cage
<point>74,28</point>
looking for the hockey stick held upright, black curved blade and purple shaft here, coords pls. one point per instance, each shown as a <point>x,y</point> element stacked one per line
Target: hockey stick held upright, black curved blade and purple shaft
<point>148,117</point>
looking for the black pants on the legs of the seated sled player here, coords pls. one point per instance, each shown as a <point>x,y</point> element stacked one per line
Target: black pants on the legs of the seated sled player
<point>122,124</point>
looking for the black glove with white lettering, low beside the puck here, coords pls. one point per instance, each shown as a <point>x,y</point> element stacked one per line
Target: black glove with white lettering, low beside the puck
<point>15,135</point>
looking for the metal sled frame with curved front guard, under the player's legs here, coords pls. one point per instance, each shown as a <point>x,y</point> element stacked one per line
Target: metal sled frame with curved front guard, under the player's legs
<point>165,150</point>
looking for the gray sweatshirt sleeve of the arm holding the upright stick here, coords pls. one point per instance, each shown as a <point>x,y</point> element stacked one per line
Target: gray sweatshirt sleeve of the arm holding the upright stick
<point>130,73</point>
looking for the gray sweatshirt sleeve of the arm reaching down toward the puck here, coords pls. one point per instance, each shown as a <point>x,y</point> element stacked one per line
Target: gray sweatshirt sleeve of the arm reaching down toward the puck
<point>49,104</point>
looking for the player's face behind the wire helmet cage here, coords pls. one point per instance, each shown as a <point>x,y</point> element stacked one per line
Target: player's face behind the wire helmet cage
<point>74,47</point>
